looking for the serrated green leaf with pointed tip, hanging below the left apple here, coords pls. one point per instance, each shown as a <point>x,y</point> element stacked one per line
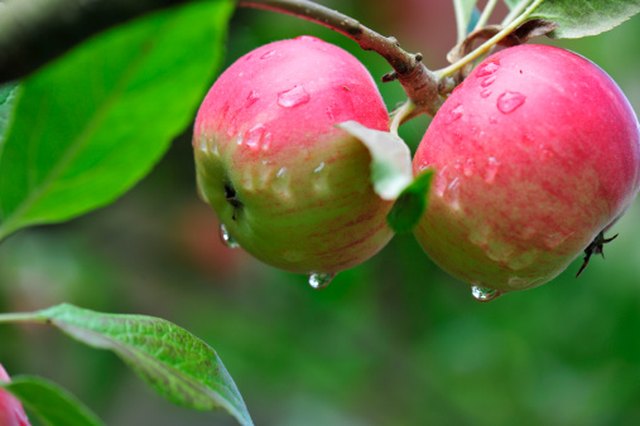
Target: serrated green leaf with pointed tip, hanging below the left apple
<point>178,365</point>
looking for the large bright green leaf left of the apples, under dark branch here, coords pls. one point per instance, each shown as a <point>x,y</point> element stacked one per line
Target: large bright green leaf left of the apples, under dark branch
<point>91,124</point>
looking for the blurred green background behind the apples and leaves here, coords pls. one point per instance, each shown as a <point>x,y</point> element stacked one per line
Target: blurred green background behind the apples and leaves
<point>395,341</point>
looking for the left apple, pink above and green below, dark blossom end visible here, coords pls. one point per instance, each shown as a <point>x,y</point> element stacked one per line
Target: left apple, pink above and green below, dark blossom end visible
<point>291,188</point>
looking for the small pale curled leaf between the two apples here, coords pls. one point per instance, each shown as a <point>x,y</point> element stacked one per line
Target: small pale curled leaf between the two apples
<point>391,169</point>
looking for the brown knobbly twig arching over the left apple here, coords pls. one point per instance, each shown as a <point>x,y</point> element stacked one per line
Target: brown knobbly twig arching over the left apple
<point>420,83</point>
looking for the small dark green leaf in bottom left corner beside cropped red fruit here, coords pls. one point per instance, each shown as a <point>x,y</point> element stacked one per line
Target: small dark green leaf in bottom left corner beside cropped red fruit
<point>52,405</point>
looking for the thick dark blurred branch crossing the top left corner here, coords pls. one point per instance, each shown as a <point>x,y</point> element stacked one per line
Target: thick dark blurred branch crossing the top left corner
<point>34,32</point>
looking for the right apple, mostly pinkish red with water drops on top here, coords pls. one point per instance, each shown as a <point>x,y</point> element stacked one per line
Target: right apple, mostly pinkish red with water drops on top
<point>535,153</point>
